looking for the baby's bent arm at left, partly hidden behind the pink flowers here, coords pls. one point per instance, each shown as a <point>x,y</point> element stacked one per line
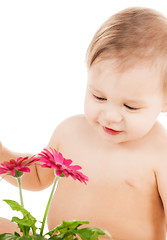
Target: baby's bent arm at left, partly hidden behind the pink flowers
<point>40,178</point>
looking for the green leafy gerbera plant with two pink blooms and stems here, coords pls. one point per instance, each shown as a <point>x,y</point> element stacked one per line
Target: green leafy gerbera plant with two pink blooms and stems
<point>67,230</point>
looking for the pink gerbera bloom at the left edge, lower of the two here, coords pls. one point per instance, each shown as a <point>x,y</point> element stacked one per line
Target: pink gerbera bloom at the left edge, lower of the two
<point>21,164</point>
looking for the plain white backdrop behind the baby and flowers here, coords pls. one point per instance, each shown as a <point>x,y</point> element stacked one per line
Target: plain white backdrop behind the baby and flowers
<point>43,73</point>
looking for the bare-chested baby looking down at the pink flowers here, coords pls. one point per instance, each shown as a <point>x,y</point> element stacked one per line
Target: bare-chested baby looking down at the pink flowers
<point>118,141</point>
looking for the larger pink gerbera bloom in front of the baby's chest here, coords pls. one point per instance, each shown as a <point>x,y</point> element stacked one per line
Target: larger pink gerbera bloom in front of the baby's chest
<point>62,166</point>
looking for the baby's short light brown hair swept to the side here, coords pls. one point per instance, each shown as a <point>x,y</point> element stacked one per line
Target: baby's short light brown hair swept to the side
<point>130,37</point>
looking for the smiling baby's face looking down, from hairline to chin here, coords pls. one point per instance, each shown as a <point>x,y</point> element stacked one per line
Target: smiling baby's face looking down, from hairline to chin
<point>123,106</point>
